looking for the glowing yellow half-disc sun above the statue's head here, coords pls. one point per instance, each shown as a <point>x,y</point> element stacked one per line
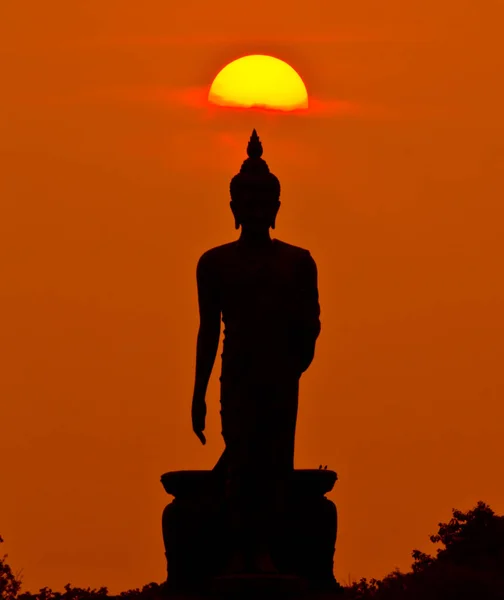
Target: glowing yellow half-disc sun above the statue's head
<point>259,81</point>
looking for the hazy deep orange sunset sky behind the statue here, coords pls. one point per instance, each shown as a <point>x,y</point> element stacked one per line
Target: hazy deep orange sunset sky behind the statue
<point>113,181</point>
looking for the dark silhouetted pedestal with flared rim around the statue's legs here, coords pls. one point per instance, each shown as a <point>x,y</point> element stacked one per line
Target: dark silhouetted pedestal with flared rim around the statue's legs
<point>197,543</point>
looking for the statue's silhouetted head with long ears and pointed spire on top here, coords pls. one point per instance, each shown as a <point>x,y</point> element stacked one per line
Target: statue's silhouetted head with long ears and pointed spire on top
<point>255,192</point>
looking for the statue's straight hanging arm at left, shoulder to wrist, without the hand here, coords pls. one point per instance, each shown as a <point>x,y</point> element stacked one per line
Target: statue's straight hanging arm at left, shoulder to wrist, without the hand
<point>209,329</point>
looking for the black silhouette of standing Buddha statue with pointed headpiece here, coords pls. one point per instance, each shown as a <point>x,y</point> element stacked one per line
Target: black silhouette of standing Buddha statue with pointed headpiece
<point>266,292</point>
